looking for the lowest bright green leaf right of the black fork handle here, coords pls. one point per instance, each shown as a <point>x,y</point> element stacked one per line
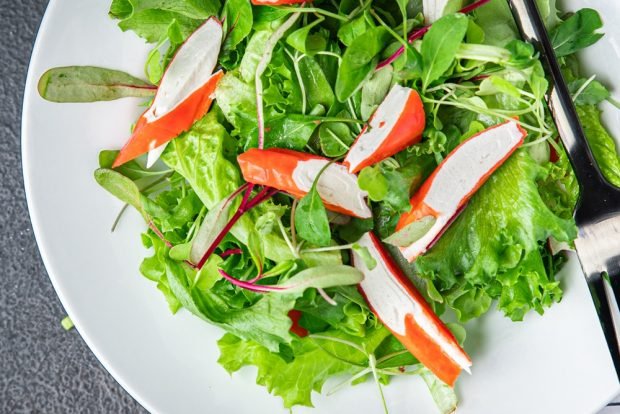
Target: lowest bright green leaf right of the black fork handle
<point>601,143</point>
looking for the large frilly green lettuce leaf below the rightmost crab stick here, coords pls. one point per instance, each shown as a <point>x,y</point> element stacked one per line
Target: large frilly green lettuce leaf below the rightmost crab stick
<point>493,250</point>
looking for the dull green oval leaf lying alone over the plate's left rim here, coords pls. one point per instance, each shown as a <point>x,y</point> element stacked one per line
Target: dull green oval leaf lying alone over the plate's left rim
<point>91,84</point>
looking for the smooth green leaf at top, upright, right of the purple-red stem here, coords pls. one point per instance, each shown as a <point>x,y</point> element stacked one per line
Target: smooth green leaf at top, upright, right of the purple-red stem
<point>440,45</point>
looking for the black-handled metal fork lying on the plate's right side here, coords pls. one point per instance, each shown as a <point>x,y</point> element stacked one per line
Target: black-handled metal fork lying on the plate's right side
<point>598,211</point>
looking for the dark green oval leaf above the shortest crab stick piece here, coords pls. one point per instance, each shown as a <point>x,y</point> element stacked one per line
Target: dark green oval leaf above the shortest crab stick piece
<point>359,61</point>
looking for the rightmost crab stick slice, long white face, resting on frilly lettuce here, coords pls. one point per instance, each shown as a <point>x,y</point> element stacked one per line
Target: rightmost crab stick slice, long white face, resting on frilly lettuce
<point>445,193</point>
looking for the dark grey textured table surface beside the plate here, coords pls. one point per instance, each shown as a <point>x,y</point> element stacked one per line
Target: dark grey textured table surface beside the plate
<point>43,368</point>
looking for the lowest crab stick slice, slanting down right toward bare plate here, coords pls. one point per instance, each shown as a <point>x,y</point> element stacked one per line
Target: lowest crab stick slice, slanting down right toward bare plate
<point>403,310</point>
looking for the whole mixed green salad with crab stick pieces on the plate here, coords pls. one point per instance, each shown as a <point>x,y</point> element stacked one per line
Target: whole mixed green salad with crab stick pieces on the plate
<point>340,186</point>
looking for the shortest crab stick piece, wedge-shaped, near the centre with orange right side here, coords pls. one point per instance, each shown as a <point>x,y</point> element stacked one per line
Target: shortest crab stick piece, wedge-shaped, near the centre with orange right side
<point>397,123</point>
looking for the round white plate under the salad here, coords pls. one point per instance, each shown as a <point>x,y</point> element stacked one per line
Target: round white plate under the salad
<point>555,363</point>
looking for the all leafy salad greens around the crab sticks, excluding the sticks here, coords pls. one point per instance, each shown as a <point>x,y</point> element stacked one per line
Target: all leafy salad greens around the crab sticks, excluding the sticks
<point>307,78</point>
